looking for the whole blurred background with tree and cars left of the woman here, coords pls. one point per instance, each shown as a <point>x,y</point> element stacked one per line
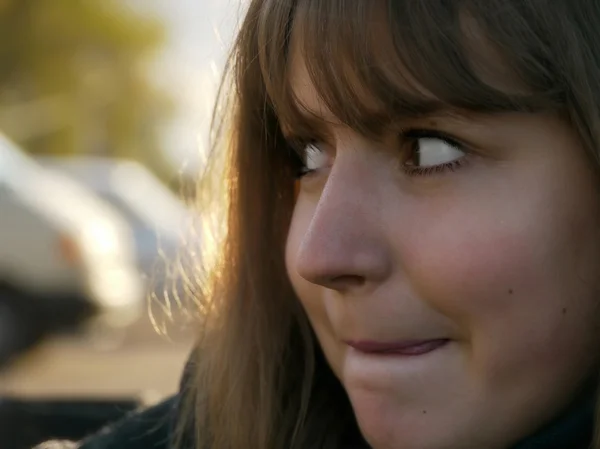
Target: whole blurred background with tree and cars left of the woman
<point>104,115</point>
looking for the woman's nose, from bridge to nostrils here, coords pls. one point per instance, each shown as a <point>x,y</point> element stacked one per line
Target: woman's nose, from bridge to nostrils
<point>344,247</point>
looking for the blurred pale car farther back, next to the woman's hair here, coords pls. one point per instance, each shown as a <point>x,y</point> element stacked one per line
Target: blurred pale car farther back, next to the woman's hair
<point>160,221</point>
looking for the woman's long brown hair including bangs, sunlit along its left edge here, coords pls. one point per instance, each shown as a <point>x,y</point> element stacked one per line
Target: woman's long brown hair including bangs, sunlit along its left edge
<point>260,381</point>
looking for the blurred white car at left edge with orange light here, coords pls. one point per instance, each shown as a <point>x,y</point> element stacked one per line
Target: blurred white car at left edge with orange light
<point>66,257</point>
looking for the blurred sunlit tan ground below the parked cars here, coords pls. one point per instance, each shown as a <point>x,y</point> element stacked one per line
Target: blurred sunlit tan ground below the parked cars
<point>142,364</point>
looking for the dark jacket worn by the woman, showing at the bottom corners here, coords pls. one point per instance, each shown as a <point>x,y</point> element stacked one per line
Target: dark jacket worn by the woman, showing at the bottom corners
<point>154,427</point>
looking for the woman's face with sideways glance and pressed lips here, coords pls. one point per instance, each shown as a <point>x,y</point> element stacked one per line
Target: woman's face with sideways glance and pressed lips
<point>450,272</point>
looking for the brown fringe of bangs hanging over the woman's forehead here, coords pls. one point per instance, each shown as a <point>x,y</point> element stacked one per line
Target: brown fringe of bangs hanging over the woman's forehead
<point>375,62</point>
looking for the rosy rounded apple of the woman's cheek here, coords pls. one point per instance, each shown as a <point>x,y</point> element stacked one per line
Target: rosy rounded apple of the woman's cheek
<point>468,265</point>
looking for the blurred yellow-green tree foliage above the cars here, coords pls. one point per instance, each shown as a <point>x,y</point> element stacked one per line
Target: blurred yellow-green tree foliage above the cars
<point>74,78</point>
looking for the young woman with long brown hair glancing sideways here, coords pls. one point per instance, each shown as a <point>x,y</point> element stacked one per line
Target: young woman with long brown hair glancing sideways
<point>412,254</point>
